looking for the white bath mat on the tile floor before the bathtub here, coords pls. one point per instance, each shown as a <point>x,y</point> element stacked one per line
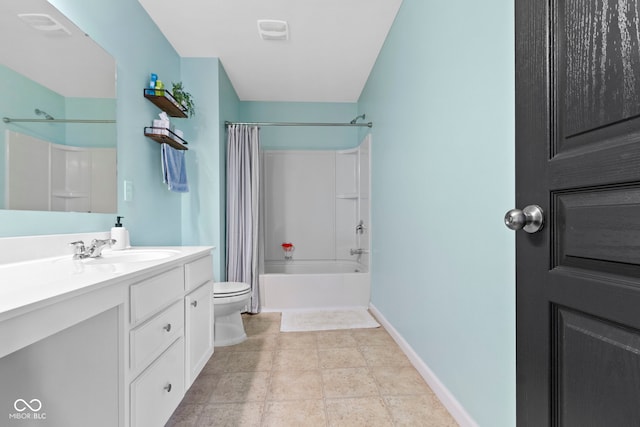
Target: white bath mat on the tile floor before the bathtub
<point>298,321</point>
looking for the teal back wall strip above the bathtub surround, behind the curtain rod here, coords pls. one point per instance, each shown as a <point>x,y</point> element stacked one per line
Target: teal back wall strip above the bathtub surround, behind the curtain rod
<point>301,138</point>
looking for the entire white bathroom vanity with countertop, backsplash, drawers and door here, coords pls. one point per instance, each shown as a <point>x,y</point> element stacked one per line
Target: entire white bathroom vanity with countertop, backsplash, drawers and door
<point>110,341</point>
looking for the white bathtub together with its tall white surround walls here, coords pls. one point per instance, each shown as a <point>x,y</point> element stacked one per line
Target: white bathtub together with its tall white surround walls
<point>319,201</point>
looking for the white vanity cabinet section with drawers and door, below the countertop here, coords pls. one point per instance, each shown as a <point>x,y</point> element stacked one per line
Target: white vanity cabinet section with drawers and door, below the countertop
<point>170,338</point>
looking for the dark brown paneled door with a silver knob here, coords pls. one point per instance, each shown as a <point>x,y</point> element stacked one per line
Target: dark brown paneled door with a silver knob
<point>578,157</point>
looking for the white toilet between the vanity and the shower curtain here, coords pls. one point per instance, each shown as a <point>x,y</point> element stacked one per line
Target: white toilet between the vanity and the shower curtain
<point>229,300</point>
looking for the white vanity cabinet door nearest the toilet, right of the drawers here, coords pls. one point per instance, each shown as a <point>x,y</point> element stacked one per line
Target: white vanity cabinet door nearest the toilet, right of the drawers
<point>199,330</point>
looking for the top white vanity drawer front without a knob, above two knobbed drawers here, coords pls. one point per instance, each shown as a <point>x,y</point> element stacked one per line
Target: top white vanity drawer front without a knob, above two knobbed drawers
<point>151,295</point>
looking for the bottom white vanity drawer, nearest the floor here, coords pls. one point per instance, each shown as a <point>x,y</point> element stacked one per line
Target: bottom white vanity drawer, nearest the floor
<point>157,392</point>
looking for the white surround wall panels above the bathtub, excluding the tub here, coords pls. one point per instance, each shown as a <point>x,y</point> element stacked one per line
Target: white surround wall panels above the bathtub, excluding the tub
<point>317,200</point>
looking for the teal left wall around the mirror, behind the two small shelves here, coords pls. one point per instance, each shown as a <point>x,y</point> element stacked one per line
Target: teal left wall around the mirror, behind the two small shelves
<point>154,216</point>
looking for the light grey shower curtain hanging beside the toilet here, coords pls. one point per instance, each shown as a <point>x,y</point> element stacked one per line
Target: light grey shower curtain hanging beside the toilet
<point>243,208</point>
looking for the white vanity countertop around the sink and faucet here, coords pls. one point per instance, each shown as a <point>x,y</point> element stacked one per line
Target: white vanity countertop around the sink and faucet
<point>28,285</point>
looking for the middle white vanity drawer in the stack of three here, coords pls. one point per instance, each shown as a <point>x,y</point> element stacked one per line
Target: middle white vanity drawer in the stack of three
<point>150,339</point>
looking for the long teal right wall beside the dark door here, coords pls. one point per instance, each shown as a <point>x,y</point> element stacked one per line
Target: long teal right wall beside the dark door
<point>441,99</point>
